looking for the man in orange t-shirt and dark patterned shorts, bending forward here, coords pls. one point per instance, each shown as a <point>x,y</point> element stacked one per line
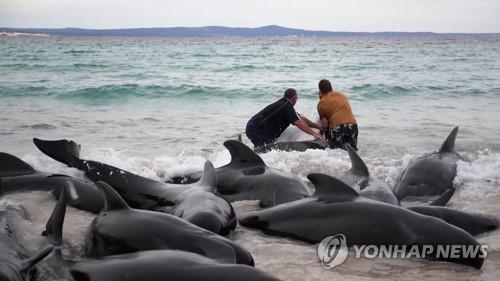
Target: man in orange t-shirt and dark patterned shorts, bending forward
<point>336,117</point>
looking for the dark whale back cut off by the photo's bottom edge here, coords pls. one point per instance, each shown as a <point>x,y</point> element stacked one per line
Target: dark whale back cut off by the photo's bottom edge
<point>164,265</point>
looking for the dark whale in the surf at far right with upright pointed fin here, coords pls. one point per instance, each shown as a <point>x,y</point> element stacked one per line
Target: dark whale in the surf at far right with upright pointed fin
<point>430,174</point>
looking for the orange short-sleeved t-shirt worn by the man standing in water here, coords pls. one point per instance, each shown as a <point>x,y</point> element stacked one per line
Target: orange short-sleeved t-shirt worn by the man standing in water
<point>336,108</point>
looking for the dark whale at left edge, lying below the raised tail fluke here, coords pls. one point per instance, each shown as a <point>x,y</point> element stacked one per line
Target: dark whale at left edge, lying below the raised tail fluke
<point>19,176</point>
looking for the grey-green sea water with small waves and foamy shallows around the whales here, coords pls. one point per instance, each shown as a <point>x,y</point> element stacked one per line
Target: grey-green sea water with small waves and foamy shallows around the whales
<point>160,107</point>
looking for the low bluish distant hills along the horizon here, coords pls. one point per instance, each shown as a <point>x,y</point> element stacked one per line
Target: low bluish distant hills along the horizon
<point>208,31</point>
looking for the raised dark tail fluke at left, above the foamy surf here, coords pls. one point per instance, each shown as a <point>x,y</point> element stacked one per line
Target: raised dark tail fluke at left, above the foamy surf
<point>65,151</point>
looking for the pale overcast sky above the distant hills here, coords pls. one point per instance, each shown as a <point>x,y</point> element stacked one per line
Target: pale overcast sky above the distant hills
<point>332,15</point>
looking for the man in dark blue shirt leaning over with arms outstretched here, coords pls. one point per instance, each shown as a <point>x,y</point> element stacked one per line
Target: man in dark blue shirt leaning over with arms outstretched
<point>267,125</point>
